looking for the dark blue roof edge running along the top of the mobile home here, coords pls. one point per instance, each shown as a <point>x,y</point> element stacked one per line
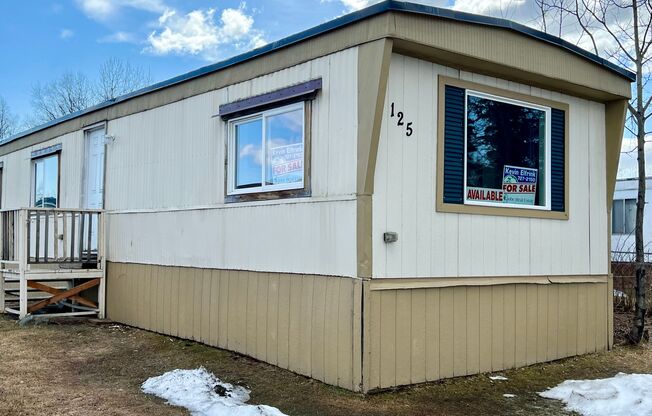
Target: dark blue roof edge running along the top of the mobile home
<point>385,6</point>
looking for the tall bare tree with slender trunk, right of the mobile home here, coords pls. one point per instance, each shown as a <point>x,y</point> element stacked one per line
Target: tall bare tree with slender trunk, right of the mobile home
<point>627,27</point>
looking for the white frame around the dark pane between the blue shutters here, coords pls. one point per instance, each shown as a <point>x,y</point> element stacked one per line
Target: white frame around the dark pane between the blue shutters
<point>547,179</point>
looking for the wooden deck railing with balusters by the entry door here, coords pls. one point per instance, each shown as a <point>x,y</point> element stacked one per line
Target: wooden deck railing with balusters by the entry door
<point>52,236</point>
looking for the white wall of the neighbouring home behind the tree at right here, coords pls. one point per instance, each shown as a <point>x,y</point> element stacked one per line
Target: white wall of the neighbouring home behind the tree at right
<point>628,189</point>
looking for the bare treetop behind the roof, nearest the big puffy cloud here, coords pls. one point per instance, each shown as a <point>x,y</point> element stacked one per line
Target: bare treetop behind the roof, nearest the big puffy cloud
<point>118,77</point>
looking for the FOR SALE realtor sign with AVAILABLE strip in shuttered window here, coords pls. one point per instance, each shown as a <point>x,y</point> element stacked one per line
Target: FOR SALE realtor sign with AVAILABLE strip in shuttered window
<point>519,187</point>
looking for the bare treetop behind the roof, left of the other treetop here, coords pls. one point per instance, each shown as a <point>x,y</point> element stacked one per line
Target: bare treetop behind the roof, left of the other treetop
<point>68,94</point>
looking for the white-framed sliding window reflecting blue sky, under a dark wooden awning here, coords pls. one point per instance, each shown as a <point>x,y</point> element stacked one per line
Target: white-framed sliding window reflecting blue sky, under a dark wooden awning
<point>267,151</point>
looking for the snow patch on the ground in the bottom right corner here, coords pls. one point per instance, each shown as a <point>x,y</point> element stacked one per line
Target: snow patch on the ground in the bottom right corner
<point>624,394</point>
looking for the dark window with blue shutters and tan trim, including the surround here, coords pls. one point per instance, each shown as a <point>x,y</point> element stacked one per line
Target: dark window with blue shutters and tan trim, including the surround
<point>500,152</point>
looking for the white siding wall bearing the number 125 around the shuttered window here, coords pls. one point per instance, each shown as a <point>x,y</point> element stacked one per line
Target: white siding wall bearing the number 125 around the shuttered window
<point>434,244</point>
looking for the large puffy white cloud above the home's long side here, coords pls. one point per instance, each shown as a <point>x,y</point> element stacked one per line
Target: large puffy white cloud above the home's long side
<point>198,33</point>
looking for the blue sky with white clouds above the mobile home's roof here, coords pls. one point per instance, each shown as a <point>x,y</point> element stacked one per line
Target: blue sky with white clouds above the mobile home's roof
<point>41,40</point>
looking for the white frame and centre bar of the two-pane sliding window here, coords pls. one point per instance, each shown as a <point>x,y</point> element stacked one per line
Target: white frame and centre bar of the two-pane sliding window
<point>231,147</point>
